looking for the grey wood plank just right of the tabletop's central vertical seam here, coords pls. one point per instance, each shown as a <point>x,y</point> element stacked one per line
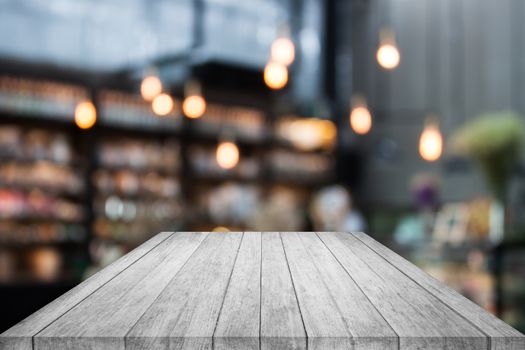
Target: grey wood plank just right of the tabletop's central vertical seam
<point>281,323</point>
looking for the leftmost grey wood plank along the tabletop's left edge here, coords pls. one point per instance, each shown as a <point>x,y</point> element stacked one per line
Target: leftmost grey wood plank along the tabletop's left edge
<point>19,337</point>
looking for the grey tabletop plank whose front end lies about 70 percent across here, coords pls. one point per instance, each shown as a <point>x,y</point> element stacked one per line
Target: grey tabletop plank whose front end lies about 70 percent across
<point>368,328</point>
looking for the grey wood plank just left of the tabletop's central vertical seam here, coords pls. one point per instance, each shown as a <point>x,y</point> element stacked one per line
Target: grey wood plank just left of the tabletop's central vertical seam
<point>239,320</point>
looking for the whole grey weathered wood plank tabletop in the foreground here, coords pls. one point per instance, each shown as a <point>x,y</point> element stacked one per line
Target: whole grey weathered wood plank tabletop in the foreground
<point>262,290</point>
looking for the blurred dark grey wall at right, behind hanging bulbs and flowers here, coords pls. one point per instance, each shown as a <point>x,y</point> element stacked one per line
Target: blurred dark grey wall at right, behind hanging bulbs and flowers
<point>459,59</point>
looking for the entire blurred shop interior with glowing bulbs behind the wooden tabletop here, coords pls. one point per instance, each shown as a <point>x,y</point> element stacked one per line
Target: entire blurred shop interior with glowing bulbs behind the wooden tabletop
<point>123,118</point>
